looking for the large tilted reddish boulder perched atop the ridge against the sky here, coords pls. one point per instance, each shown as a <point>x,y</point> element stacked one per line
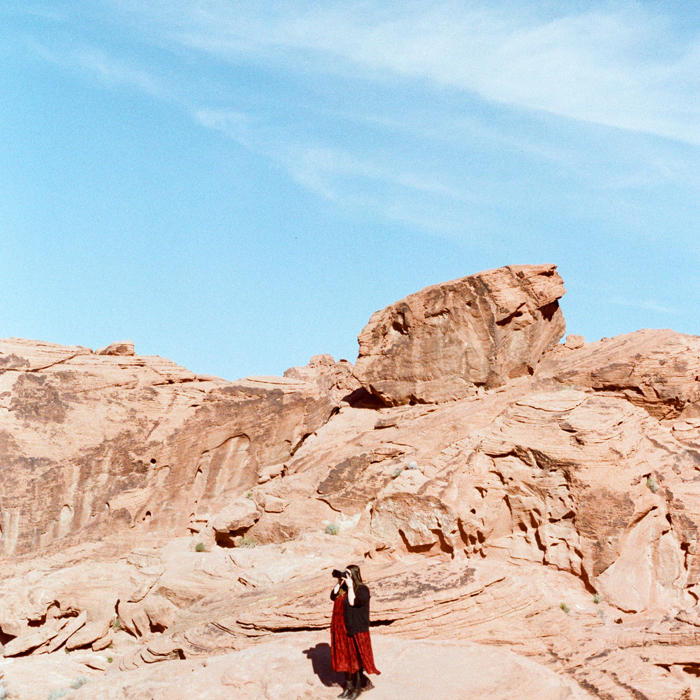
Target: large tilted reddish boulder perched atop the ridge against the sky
<point>443,342</point>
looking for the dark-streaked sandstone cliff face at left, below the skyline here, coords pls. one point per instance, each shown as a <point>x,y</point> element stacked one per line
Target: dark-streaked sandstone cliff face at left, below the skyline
<point>91,444</point>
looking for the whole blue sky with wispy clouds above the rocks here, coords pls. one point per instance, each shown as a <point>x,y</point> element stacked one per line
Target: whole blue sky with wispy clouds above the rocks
<point>238,185</point>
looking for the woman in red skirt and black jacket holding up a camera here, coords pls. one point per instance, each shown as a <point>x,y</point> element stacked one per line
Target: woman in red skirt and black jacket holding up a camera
<point>351,646</point>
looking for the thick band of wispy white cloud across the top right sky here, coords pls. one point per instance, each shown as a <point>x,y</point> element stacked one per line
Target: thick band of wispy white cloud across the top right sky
<point>620,67</point>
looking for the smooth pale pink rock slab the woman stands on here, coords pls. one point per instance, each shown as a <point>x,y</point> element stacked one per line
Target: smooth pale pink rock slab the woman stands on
<point>298,668</point>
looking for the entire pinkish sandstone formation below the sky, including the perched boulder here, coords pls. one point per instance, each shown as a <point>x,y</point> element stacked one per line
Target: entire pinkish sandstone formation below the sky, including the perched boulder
<point>536,501</point>
